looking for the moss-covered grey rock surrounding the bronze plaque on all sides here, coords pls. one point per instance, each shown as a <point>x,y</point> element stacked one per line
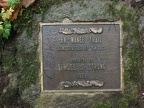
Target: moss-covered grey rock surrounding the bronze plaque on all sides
<point>21,57</point>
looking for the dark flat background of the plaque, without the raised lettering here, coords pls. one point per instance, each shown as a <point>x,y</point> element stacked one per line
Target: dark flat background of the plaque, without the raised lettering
<point>110,55</point>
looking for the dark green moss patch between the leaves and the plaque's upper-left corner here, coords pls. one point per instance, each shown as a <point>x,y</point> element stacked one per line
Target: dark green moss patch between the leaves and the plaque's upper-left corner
<point>25,20</point>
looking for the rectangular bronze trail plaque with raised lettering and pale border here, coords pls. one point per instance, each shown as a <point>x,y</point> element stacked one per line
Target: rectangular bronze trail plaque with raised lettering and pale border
<point>83,57</point>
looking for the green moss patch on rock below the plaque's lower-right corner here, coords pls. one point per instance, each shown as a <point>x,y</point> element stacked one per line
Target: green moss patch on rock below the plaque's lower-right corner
<point>120,100</point>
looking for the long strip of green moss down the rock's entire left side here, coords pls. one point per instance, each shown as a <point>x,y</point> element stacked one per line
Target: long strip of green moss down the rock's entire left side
<point>21,58</point>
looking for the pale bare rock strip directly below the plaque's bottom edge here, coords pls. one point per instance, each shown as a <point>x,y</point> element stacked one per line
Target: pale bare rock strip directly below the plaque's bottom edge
<point>69,100</point>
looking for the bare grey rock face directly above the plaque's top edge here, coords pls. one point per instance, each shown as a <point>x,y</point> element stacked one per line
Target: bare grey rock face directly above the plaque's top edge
<point>78,11</point>
